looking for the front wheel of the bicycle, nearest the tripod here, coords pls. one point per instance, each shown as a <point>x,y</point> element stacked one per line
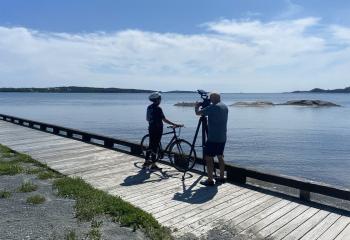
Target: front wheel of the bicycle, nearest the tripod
<point>182,156</point>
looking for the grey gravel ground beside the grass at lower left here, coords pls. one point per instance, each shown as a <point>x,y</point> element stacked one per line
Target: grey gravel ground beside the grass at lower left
<point>53,219</point>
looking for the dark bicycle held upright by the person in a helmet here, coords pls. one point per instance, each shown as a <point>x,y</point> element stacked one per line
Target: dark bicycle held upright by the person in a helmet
<point>180,152</point>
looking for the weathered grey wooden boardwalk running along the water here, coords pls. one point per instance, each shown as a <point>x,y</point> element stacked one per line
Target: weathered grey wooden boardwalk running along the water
<point>183,206</point>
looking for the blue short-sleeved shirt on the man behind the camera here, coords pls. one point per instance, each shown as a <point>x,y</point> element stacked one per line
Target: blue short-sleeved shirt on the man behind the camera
<point>217,122</point>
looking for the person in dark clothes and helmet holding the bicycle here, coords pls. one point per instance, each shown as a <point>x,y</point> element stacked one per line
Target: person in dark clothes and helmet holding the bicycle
<point>155,118</point>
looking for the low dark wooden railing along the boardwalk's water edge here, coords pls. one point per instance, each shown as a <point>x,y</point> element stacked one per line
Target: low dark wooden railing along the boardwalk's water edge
<point>234,173</point>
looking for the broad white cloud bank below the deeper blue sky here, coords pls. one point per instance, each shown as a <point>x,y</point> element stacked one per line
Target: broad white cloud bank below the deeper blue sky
<point>232,55</point>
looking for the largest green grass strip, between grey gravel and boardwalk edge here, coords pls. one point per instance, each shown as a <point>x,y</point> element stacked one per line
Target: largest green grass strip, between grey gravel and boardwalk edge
<point>92,202</point>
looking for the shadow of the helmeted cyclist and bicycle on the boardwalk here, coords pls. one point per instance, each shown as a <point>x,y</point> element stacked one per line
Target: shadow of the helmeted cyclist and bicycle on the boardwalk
<point>144,176</point>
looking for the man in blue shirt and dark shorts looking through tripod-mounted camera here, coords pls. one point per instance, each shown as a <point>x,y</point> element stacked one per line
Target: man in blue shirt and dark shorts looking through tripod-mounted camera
<point>217,113</point>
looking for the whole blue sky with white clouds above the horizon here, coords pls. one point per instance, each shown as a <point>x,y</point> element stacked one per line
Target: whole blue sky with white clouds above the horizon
<point>217,45</point>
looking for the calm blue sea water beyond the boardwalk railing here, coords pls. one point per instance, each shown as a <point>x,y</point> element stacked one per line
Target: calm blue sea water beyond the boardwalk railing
<point>313,143</point>
